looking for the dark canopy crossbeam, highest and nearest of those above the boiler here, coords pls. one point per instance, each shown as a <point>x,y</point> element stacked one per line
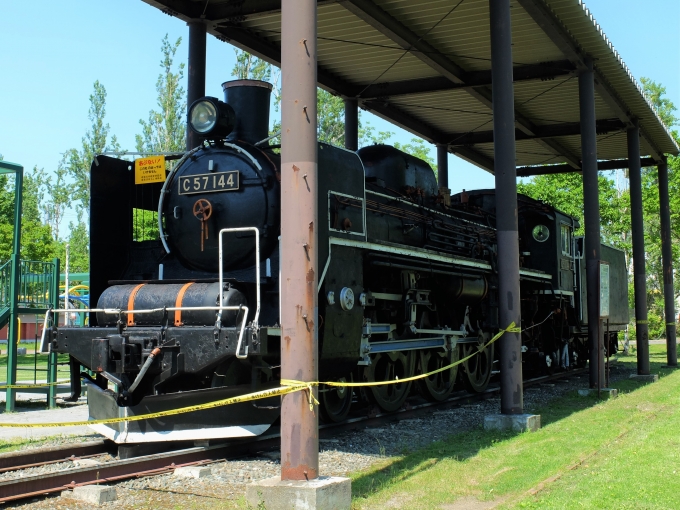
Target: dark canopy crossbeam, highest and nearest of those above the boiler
<point>544,71</point>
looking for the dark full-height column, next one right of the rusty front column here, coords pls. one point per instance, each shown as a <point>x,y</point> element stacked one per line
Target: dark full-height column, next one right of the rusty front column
<point>509,303</point>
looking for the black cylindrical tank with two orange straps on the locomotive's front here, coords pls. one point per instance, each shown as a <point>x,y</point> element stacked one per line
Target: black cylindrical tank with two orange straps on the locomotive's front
<point>172,295</point>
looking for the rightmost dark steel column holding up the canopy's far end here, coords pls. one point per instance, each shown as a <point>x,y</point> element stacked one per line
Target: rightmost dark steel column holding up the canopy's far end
<point>667,255</point>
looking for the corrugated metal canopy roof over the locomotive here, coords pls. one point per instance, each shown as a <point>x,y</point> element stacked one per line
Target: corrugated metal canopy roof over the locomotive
<point>426,66</point>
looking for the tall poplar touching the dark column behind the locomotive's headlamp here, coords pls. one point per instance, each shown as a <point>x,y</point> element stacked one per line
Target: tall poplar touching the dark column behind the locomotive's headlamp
<point>165,131</point>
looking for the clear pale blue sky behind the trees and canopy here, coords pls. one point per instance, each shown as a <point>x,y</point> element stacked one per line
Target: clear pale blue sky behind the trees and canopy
<point>50,60</point>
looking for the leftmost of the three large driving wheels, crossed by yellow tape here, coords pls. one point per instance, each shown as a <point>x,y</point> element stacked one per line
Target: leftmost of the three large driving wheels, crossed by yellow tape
<point>388,367</point>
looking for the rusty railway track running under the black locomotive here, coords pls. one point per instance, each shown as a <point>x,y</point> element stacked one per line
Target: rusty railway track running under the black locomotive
<point>159,463</point>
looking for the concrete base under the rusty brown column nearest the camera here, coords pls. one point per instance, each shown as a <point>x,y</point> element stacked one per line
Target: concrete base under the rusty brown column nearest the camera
<point>323,493</point>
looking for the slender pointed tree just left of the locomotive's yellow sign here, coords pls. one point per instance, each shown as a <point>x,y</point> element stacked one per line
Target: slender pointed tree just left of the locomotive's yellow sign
<point>95,141</point>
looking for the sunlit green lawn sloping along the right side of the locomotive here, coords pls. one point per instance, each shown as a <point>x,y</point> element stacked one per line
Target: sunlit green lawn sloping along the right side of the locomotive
<point>622,453</point>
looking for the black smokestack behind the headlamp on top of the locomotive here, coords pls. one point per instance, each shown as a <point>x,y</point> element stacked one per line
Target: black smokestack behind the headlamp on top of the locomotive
<point>250,101</point>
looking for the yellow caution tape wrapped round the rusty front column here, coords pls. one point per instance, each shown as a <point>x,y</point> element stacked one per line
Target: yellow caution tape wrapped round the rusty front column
<point>287,386</point>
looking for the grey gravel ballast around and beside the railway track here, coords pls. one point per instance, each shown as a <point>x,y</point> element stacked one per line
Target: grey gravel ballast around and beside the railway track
<point>345,453</point>
